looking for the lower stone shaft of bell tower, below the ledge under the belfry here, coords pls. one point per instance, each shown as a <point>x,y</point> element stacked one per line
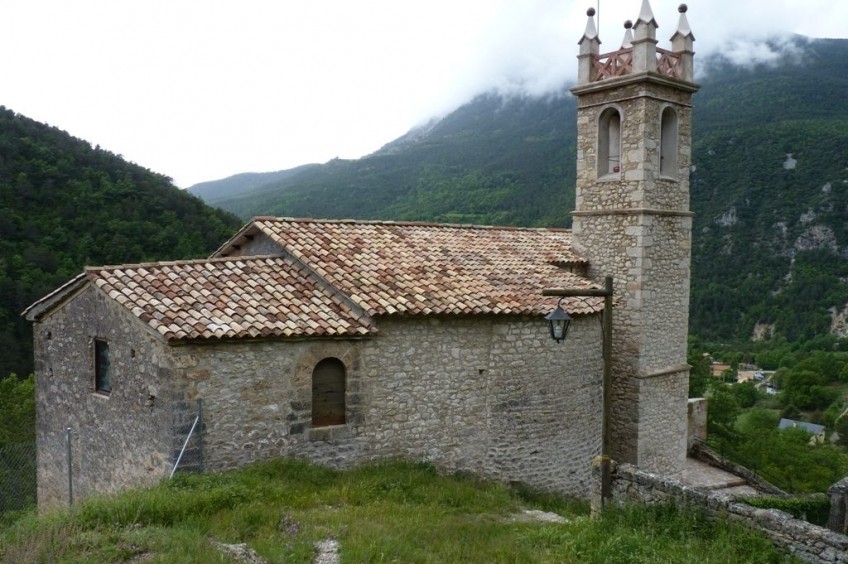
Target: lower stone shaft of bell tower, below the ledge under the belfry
<point>650,377</point>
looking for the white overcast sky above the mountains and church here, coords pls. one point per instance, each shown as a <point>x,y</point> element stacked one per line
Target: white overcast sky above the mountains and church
<point>203,89</point>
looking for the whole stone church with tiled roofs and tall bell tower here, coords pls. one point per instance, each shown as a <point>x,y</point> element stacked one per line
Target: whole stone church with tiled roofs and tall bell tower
<point>349,341</point>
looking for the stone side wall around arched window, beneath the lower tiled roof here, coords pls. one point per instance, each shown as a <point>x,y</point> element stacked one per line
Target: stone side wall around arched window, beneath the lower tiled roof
<point>257,399</point>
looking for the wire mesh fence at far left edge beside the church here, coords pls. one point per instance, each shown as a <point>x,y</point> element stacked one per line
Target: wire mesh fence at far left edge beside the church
<point>18,490</point>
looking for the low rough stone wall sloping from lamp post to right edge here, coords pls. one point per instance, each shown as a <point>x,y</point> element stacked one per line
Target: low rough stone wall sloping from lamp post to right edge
<point>808,542</point>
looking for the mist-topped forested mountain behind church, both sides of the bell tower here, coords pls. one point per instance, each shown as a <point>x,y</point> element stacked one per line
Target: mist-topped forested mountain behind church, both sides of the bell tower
<point>769,186</point>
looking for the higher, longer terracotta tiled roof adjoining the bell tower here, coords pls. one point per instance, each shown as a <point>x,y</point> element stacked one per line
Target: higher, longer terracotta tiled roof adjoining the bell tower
<point>415,268</point>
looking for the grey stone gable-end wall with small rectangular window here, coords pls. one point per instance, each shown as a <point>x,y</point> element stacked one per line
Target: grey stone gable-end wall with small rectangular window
<point>119,440</point>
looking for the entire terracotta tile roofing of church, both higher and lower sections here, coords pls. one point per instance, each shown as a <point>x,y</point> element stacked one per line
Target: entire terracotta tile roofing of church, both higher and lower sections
<point>334,275</point>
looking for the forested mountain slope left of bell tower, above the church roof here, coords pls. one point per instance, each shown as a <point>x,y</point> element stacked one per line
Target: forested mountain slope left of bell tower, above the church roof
<point>494,161</point>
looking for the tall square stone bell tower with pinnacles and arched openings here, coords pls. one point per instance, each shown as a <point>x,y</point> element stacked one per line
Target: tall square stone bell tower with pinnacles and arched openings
<point>632,221</point>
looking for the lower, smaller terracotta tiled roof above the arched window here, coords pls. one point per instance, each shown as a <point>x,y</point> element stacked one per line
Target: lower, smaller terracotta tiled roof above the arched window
<point>230,298</point>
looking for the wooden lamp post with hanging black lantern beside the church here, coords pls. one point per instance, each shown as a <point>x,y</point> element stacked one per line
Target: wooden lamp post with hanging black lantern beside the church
<point>555,318</point>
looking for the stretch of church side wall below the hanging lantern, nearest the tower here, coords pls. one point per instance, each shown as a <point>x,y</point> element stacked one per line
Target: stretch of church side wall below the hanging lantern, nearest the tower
<point>545,405</point>
